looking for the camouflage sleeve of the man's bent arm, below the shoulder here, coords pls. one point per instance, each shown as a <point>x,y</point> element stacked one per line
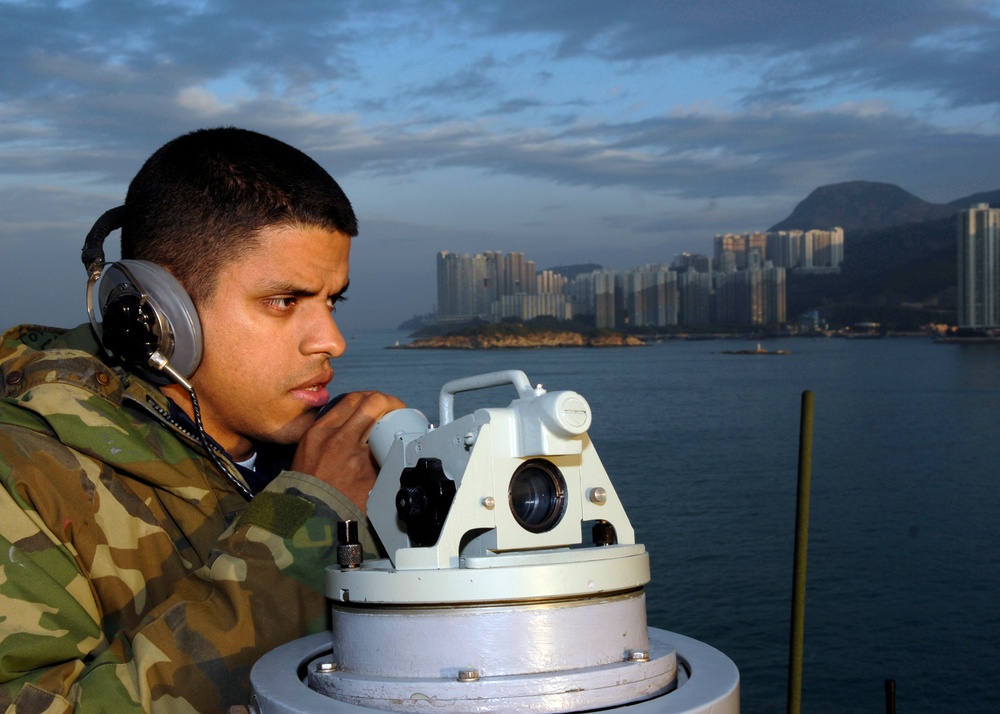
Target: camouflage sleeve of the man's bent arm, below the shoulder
<point>95,614</point>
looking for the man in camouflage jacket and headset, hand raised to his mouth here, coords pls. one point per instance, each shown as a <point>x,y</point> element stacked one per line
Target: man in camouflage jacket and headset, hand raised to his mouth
<point>161,531</point>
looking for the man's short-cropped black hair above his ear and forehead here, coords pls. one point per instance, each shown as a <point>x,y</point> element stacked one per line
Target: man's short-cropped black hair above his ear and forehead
<point>198,203</point>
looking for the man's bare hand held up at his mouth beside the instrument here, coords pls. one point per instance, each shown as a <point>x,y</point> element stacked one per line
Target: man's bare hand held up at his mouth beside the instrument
<point>335,448</point>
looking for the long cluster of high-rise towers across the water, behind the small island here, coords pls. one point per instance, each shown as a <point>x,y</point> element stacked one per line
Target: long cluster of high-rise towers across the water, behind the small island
<point>746,290</point>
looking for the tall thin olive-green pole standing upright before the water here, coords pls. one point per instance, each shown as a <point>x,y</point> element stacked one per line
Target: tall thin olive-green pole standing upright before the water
<point>797,635</point>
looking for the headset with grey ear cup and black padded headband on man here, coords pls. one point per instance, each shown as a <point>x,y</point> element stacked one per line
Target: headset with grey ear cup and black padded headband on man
<point>147,319</point>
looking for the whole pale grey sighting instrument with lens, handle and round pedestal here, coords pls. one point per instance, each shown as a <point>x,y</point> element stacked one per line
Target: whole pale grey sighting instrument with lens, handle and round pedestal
<point>512,581</point>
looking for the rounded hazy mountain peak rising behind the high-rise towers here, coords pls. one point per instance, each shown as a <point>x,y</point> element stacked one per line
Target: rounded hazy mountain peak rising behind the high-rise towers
<point>861,206</point>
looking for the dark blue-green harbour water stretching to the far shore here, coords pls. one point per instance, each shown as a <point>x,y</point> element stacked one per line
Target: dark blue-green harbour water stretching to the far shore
<point>904,551</point>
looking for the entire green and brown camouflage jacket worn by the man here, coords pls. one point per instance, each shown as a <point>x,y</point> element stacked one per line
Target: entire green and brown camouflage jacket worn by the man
<point>133,576</point>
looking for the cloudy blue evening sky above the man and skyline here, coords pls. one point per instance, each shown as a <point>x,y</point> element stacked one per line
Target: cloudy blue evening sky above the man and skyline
<point>574,131</point>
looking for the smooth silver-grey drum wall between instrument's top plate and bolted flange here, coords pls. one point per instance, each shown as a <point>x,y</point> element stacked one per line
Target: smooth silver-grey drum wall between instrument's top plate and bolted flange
<point>497,640</point>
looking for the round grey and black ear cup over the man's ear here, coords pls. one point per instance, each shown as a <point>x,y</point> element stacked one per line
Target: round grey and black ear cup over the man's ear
<point>145,309</point>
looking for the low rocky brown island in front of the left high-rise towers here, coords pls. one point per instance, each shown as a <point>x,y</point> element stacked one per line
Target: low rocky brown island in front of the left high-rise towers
<point>517,336</point>
